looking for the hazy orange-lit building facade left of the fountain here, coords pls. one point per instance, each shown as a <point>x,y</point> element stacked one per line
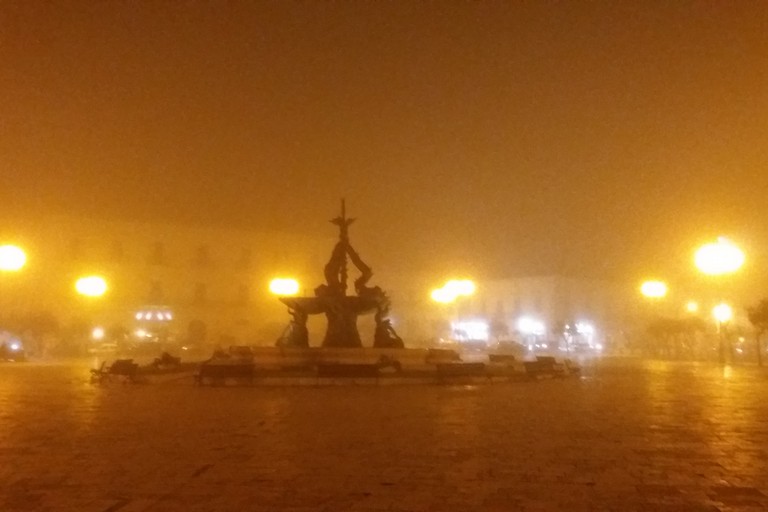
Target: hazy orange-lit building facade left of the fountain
<point>218,276</point>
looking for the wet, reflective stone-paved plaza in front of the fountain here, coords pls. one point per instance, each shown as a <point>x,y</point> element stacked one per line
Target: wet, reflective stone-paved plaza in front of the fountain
<point>626,435</point>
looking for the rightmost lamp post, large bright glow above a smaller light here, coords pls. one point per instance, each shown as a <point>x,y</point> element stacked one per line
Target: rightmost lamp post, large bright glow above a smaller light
<point>718,259</point>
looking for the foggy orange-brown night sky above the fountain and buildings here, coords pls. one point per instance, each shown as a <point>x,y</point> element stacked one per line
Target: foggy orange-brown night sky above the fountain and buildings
<point>500,138</point>
